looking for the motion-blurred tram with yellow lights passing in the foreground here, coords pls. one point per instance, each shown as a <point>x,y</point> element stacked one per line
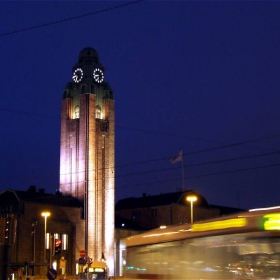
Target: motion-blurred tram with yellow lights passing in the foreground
<point>241,246</point>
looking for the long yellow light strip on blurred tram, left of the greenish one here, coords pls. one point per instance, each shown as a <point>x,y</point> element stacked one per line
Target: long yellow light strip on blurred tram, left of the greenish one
<point>231,223</point>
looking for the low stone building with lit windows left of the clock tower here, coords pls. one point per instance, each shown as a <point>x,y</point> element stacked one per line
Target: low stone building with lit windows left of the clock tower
<point>25,250</point>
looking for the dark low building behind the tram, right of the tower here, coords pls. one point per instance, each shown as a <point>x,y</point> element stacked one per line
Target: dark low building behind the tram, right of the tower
<point>152,211</point>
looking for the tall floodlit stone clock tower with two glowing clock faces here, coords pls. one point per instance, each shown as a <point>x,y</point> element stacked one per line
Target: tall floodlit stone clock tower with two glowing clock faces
<point>87,154</point>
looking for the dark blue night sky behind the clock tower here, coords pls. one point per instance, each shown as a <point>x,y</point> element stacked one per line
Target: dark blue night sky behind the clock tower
<point>197,76</point>
